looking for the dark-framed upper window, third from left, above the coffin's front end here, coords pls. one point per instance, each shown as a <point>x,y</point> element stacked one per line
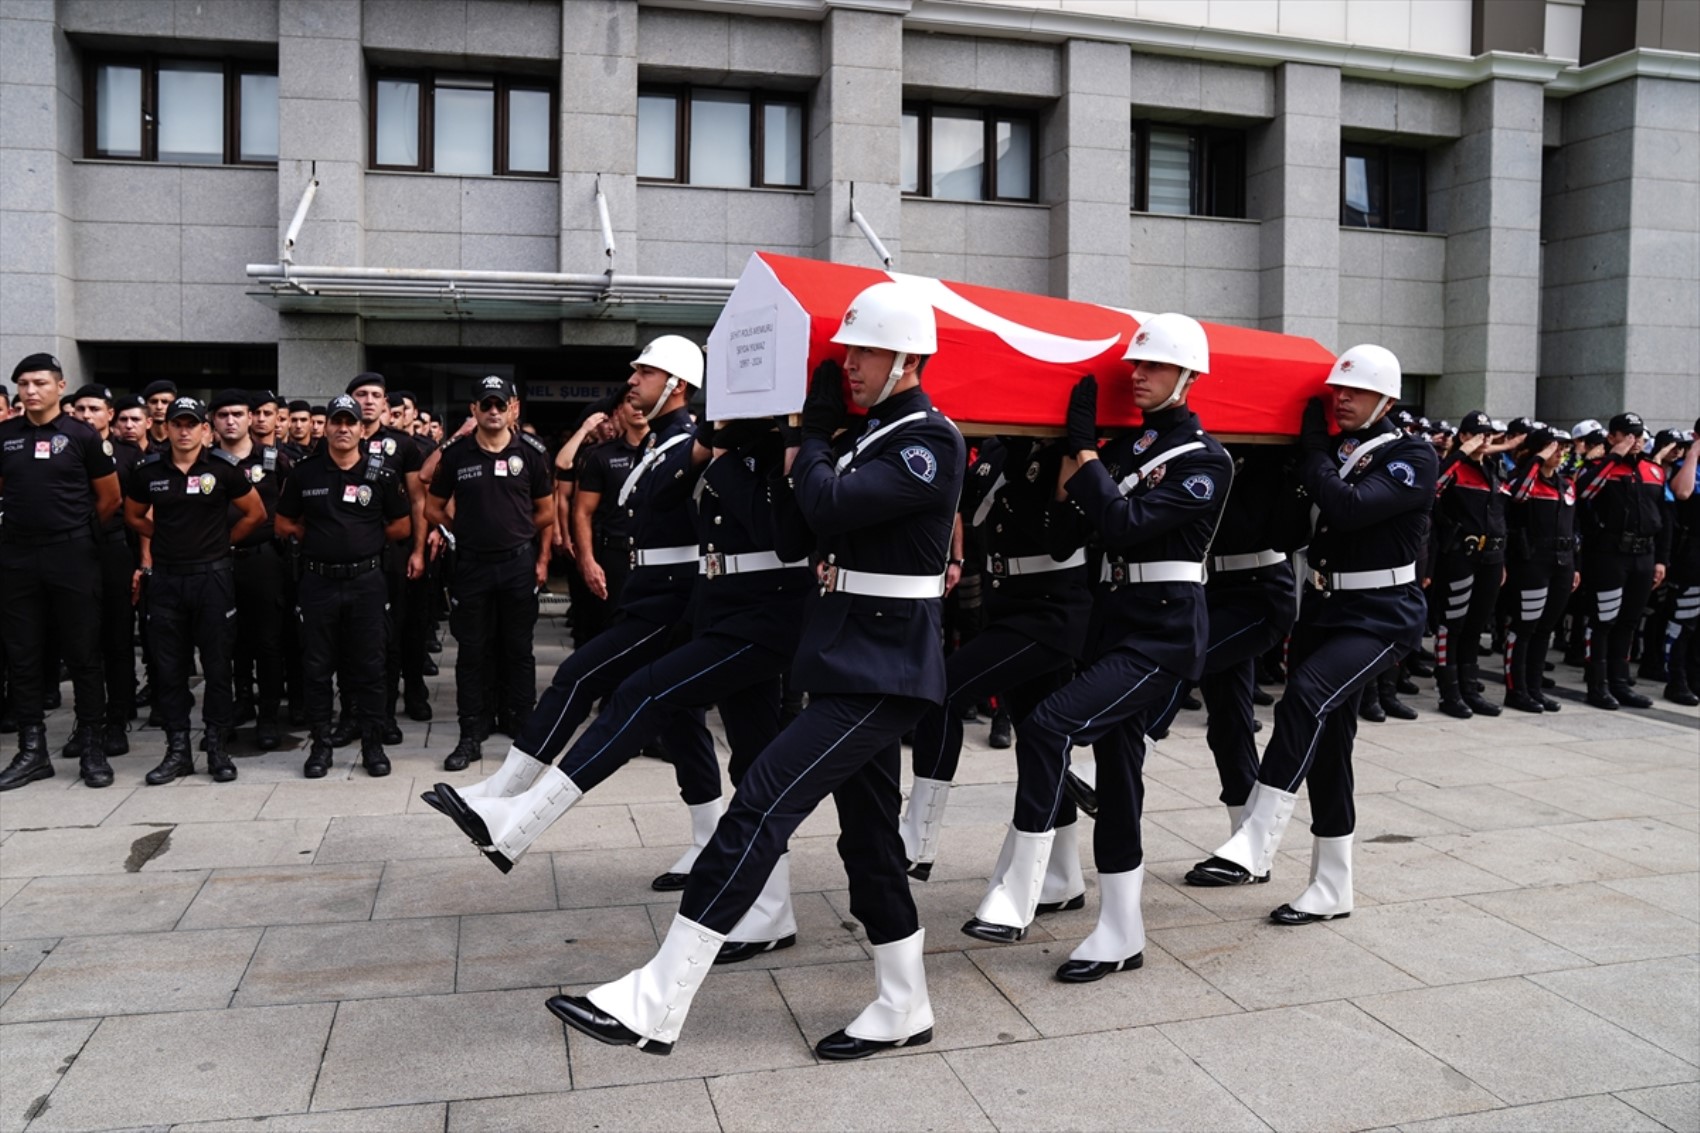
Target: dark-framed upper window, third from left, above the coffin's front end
<point>711,137</point>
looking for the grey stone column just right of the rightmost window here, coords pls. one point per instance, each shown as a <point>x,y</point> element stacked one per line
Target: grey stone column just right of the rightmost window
<point>1493,254</point>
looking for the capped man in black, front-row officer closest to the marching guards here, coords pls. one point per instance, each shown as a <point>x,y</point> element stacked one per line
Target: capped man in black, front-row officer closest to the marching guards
<point>502,487</point>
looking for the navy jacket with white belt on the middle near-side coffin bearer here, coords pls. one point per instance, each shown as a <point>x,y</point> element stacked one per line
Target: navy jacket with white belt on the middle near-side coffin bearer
<point>1169,515</point>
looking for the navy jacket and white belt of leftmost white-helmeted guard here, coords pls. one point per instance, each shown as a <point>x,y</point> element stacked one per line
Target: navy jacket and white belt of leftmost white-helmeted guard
<point>659,515</point>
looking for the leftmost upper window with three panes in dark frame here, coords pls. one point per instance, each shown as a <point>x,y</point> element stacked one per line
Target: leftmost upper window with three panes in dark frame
<point>179,110</point>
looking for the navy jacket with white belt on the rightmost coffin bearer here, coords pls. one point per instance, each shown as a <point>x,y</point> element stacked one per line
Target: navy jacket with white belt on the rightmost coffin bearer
<point>1374,518</point>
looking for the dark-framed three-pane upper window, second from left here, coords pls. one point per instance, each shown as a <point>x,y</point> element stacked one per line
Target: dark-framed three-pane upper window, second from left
<point>465,125</point>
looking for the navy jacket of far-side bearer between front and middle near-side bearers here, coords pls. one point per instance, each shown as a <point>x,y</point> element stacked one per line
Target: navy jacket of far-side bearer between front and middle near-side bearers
<point>1011,498</point>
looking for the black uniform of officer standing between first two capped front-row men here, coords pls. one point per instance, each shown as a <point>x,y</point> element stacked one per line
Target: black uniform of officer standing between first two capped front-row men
<point>263,589</point>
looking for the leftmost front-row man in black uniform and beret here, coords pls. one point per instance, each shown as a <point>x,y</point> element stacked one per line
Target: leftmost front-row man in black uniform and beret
<point>60,489</point>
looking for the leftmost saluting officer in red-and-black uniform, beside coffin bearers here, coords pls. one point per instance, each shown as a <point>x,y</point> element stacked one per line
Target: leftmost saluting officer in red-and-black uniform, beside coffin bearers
<point>1470,561</point>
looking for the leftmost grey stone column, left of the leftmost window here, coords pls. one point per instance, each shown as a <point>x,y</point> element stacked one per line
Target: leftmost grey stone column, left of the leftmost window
<point>40,128</point>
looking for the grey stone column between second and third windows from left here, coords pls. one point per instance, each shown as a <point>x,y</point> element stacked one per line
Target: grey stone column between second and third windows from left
<point>599,140</point>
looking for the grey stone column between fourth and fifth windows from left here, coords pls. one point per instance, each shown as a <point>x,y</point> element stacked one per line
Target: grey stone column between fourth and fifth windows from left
<point>1085,174</point>
